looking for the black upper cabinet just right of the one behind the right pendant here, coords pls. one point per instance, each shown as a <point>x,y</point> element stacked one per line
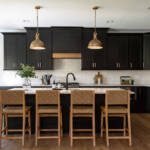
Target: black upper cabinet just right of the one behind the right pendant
<point>117,52</point>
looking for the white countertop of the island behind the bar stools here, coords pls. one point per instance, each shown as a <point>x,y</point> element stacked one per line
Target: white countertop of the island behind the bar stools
<point>64,91</point>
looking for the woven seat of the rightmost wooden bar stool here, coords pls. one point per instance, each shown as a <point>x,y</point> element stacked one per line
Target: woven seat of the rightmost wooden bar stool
<point>115,109</point>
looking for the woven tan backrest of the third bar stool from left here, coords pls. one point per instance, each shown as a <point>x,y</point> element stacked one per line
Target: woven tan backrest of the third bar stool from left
<point>82,97</point>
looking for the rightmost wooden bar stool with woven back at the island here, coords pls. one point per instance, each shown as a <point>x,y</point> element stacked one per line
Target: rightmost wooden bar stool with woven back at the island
<point>117,104</point>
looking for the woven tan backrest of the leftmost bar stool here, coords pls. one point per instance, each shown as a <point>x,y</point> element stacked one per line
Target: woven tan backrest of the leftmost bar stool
<point>12,97</point>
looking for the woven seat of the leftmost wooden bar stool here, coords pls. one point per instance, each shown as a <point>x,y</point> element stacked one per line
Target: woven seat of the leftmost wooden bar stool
<point>15,109</point>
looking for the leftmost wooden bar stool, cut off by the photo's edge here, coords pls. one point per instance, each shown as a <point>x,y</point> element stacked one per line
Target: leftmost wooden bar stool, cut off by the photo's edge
<point>13,105</point>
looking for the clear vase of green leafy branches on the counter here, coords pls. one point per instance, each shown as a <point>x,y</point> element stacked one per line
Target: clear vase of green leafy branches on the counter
<point>26,72</point>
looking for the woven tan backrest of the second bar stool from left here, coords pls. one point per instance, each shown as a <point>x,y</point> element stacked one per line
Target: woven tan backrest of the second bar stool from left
<point>49,97</point>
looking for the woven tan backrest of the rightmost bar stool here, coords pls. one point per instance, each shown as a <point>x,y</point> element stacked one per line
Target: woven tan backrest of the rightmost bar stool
<point>117,97</point>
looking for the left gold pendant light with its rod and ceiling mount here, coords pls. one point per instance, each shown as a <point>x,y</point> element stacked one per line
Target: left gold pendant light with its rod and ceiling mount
<point>37,44</point>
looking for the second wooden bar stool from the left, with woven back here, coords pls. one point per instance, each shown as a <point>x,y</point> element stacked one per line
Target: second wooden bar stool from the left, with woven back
<point>48,105</point>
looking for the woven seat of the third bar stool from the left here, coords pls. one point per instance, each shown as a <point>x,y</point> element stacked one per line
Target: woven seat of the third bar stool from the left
<point>82,109</point>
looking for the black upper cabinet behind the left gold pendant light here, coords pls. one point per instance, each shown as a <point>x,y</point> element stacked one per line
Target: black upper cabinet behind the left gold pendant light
<point>40,59</point>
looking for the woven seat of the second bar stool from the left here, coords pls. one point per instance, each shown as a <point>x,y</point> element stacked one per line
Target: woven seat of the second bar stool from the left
<point>48,110</point>
